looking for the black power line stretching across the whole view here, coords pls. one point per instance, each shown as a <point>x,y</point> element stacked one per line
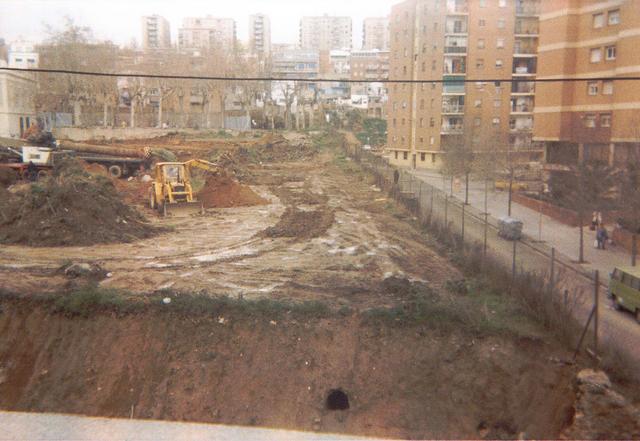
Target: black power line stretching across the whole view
<point>320,80</point>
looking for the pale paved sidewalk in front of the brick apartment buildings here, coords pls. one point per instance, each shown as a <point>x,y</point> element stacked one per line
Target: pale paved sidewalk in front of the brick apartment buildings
<point>556,234</point>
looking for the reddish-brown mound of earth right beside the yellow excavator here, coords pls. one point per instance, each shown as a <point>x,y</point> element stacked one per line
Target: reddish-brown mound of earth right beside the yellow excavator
<point>223,192</point>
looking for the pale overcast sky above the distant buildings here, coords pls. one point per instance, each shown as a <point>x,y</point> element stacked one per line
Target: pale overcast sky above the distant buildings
<point>119,20</point>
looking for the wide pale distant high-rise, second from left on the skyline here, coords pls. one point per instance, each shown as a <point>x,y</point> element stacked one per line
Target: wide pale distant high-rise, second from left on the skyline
<point>207,33</point>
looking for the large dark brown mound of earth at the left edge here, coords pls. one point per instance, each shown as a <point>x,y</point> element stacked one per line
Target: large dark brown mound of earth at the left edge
<point>71,207</point>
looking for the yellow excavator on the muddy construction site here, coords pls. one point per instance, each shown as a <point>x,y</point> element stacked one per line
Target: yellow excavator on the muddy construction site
<point>171,190</point>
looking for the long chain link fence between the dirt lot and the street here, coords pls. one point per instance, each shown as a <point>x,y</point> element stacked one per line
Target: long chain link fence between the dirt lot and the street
<point>564,283</point>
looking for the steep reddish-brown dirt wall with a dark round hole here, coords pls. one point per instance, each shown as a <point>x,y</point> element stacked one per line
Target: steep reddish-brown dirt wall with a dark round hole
<point>231,369</point>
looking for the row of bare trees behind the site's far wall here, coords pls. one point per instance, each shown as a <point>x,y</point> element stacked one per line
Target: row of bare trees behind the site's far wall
<point>74,48</point>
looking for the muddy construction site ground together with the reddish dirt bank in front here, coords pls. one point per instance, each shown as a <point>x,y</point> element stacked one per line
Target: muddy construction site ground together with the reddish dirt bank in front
<point>317,231</point>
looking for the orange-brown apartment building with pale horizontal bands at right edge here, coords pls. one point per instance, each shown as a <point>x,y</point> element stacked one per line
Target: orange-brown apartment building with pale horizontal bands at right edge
<point>594,120</point>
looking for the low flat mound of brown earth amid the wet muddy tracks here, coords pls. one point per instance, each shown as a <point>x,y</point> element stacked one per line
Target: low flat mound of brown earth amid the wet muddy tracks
<point>302,224</point>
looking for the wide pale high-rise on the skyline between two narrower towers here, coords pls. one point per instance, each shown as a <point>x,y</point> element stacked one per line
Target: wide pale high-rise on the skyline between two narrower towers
<point>325,33</point>
